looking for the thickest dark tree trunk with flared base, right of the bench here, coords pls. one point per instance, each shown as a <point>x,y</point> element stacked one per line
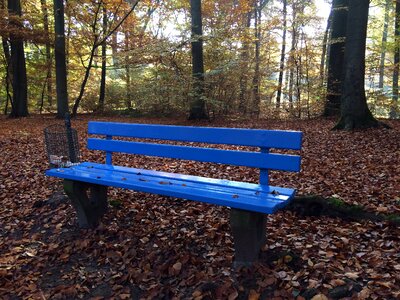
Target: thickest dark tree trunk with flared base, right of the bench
<point>355,113</point>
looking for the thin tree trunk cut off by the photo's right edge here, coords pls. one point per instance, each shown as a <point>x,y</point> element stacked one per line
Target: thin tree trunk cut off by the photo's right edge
<point>395,97</point>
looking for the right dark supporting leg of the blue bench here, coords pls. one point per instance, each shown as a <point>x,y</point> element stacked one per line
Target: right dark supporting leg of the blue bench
<point>249,235</point>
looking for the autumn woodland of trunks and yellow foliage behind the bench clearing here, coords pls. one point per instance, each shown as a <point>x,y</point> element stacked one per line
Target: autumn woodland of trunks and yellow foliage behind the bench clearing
<point>254,58</point>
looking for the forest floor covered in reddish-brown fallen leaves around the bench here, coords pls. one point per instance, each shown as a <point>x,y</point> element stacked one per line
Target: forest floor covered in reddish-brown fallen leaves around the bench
<point>150,246</point>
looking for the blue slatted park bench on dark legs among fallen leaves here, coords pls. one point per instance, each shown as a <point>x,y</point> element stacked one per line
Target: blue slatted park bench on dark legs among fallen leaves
<point>86,184</point>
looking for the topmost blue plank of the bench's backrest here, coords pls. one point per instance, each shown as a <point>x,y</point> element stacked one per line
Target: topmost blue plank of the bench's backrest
<point>230,136</point>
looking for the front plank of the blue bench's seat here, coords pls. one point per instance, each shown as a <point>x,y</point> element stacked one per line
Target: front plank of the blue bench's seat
<point>197,193</point>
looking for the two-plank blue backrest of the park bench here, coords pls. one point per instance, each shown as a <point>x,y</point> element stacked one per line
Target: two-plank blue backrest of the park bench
<point>264,139</point>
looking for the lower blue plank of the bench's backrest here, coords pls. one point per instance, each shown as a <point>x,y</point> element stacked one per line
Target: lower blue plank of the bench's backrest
<point>238,158</point>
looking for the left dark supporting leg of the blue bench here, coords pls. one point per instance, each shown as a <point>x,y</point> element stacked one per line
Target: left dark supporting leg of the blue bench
<point>89,201</point>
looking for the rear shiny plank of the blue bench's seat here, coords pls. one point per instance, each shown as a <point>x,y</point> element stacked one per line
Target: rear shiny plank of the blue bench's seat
<point>191,178</point>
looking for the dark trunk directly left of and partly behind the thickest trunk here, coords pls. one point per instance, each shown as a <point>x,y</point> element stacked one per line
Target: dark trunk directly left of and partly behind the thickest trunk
<point>336,57</point>
